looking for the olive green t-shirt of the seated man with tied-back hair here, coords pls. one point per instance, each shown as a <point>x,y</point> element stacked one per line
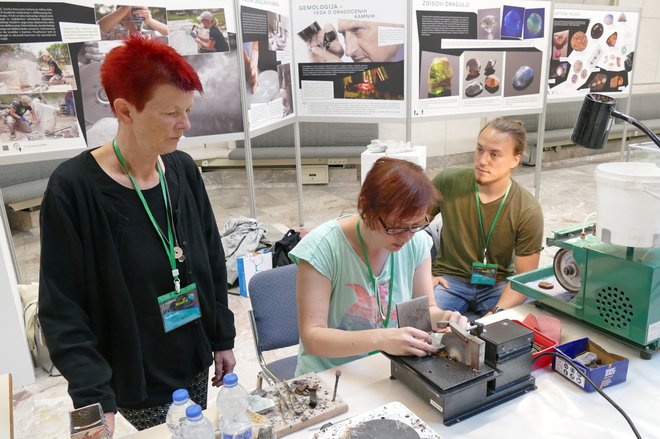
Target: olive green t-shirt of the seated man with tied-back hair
<point>519,228</point>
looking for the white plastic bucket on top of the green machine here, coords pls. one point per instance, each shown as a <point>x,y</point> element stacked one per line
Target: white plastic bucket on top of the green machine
<point>628,204</point>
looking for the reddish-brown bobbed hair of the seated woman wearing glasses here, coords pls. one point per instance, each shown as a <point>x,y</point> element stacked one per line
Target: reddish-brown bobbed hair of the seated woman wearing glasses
<point>395,188</point>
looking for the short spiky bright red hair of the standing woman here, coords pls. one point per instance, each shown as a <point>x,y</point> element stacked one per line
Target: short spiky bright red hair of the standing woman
<point>131,71</point>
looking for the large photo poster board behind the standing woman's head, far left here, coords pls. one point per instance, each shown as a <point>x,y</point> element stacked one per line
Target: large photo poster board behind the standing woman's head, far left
<point>70,106</point>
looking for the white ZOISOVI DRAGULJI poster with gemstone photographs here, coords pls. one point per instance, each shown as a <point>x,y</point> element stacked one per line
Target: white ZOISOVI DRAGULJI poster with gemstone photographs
<point>478,57</point>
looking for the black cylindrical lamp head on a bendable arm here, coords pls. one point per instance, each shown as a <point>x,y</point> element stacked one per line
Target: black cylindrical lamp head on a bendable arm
<point>593,124</point>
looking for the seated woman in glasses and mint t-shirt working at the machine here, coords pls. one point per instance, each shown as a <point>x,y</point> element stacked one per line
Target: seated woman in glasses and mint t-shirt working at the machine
<point>353,270</point>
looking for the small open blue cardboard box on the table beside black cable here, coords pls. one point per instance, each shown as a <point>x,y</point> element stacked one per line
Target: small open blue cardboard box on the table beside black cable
<point>612,368</point>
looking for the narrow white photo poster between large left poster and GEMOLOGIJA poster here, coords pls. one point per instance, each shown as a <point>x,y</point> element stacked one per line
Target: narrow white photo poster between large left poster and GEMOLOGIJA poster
<point>267,49</point>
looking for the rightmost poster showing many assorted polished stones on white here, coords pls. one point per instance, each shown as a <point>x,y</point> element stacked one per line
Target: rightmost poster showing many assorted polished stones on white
<point>592,52</point>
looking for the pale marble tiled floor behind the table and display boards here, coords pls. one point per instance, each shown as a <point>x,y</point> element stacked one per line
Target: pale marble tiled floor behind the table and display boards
<point>568,192</point>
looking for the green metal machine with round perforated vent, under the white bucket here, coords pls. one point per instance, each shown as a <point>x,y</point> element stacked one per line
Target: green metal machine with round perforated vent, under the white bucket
<point>617,293</point>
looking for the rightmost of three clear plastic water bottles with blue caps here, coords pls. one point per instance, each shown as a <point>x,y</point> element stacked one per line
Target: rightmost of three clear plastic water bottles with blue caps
<point>235,422</point>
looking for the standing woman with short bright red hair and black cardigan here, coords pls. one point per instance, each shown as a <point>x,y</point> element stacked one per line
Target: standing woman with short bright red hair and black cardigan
<point>133,290</point>
